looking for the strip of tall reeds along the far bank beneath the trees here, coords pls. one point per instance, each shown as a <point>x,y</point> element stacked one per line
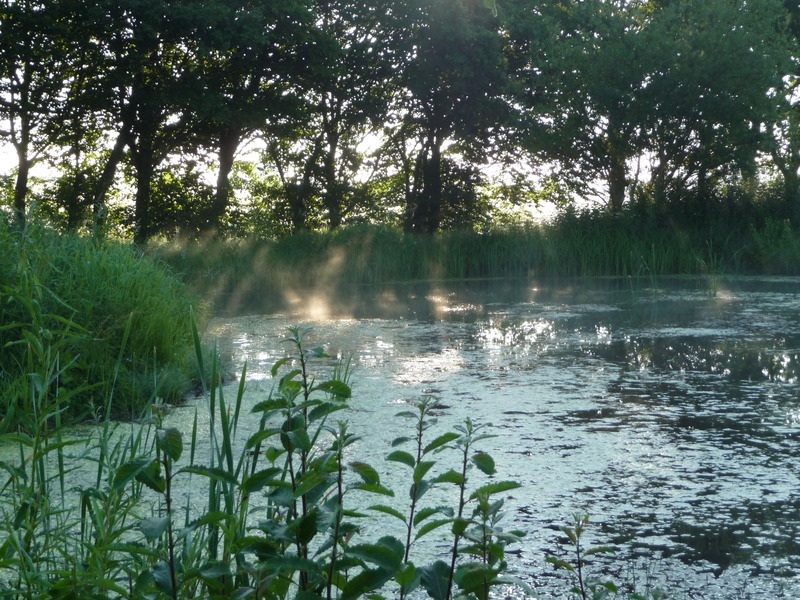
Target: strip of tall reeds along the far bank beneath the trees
<point>576,244</point>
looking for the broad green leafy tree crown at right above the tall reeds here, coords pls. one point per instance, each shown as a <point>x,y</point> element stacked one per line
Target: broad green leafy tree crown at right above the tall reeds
<point>682,83</point>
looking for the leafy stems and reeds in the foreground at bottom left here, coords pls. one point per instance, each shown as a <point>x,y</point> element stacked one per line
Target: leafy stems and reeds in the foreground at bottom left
<point>281,519</point>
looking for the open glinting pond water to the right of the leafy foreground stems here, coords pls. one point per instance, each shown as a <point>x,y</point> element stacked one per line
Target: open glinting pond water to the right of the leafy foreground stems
<point>668,411</point>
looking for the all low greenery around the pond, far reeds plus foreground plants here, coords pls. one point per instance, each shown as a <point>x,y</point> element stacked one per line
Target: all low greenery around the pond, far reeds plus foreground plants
<point>101,330</point>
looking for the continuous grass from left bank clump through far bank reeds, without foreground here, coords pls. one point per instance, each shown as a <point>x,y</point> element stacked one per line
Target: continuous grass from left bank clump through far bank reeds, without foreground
<point>107,304</point>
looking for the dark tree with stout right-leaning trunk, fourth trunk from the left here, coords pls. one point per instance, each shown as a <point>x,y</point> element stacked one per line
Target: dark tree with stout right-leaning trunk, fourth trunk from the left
<point>250,60</point>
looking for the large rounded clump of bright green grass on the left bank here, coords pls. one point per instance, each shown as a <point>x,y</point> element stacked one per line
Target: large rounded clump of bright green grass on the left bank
<point>82,322</point>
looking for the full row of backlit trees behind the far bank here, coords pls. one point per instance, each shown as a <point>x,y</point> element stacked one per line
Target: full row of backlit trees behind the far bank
<point>164,116</point>
